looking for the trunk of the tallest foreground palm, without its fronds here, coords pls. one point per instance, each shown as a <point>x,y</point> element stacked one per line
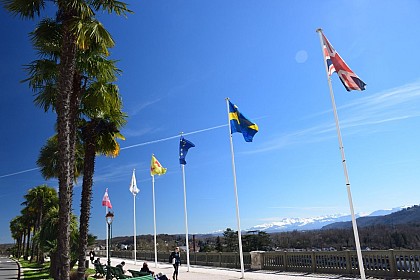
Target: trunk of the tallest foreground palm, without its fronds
<point>66,144</point>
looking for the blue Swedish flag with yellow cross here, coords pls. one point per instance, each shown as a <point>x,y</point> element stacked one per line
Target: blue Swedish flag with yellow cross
<point>238,123</point>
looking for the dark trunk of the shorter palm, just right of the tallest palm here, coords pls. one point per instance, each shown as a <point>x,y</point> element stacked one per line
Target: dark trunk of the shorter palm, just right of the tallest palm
<point>88,171</point>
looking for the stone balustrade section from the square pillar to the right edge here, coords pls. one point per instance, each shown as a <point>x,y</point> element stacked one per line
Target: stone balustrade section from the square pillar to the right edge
<point>387,263</point>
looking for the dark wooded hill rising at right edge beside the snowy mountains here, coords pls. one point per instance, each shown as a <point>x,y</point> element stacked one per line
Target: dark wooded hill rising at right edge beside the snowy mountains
<point>410,215</point>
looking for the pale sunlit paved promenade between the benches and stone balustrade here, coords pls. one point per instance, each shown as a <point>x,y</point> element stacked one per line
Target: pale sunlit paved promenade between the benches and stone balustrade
<point>206,273</point>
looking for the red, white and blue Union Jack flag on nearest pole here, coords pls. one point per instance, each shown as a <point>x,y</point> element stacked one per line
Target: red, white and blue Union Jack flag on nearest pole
<point>336,64</point>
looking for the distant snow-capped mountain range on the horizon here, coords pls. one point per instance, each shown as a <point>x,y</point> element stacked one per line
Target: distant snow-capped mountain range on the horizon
<point>289,224</point>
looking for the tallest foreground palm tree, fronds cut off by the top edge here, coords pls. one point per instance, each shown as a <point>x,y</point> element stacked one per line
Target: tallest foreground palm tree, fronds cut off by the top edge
<point>73,15</point>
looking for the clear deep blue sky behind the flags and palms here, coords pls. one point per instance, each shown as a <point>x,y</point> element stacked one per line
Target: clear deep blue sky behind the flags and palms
<point>181,59</point>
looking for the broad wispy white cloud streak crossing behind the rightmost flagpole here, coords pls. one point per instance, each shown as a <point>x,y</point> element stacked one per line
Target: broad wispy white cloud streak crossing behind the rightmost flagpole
<point>361,115</point>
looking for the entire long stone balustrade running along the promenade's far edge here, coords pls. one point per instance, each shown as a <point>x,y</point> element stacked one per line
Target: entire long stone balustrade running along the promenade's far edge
<point>385,263</point>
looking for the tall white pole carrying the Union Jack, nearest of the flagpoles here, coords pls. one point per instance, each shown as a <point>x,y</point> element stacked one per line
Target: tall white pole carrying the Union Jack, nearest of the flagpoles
<point>340,142</point>
